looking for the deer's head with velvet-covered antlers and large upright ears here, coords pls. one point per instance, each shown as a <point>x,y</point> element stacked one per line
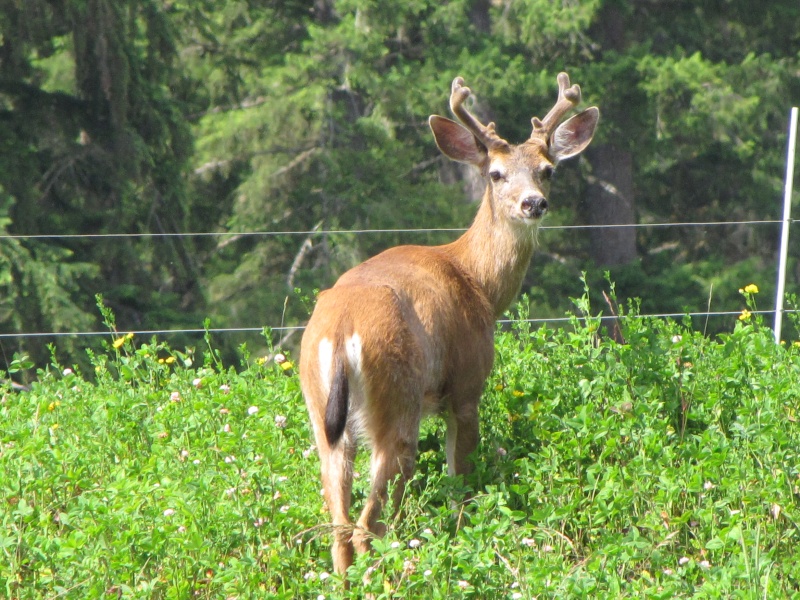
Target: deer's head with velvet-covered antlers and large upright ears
<point>519,176</point>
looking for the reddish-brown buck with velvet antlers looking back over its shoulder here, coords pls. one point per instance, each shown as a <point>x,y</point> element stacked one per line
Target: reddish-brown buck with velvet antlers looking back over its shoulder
<point>410,332</point>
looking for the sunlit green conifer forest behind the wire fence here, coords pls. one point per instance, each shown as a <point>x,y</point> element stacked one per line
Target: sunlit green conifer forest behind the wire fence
<point>217,162</point>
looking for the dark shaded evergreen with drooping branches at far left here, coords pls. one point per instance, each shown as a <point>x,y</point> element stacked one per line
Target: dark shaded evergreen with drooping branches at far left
<point>94,144</point>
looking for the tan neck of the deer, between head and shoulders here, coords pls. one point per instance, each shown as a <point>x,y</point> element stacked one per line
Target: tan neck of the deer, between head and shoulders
<point>496,253</point>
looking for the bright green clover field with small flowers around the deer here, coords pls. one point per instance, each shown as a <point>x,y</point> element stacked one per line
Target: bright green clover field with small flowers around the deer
<point>656,464</point>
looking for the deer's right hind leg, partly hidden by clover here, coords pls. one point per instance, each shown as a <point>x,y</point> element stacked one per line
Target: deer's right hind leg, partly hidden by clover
<point>394,450</point>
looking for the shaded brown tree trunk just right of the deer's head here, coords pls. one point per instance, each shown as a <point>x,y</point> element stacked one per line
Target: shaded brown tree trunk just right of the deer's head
<point>610,202</point>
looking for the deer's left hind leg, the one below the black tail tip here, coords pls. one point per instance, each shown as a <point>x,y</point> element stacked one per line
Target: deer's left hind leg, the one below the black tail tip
<point>337,483</point>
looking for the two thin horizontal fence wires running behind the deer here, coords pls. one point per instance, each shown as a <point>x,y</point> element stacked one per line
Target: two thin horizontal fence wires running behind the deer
<point>310,233</point>
